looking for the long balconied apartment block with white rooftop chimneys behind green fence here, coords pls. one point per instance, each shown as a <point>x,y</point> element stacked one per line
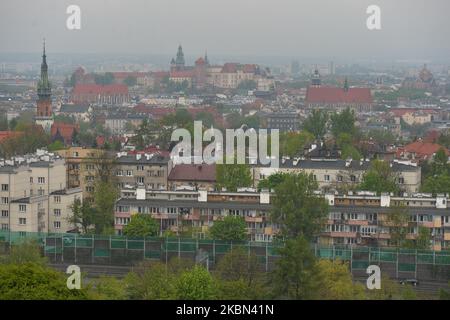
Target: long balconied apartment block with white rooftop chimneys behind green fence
<point>360,218</point>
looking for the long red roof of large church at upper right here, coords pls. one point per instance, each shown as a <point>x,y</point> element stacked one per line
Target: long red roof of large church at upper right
<point>338,95</point>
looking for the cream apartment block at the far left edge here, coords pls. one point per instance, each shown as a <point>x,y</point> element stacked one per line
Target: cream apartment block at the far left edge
<point>29,187</point>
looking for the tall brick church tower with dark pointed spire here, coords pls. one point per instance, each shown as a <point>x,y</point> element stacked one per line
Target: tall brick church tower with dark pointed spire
<point>44,114</point>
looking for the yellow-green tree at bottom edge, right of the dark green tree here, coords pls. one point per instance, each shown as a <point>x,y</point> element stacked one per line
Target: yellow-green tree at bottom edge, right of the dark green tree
<point>333,281</point>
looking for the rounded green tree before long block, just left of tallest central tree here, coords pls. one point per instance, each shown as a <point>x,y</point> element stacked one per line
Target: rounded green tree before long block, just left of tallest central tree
<point>231,228</point>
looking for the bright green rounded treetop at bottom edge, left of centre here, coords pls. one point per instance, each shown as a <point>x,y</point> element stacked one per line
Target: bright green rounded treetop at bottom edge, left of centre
<point>196,284</point>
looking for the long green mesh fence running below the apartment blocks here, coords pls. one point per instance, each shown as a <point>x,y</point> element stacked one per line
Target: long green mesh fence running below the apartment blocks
<point>118,250</point>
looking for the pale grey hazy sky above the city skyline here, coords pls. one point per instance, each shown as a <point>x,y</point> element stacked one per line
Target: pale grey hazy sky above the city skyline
<point>303,28</point>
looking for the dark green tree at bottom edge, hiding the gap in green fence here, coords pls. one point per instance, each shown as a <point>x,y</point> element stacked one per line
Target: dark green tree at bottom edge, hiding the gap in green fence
<point>292,276</point>
